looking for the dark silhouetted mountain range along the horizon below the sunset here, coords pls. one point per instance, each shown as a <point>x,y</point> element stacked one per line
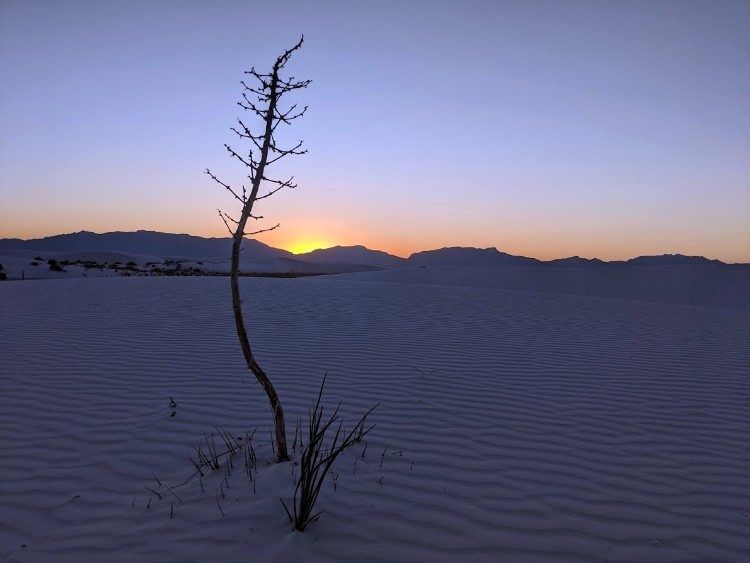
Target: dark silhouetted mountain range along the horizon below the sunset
<point>183,246</point>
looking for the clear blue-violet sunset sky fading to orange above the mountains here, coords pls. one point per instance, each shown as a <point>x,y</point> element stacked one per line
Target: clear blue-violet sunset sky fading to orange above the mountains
<point>549,129</point>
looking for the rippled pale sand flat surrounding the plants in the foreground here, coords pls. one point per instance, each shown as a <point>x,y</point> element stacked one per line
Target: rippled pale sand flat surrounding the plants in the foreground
<point>531,426</point>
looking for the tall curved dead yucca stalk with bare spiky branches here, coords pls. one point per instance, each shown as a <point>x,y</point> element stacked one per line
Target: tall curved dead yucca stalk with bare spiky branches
<point>261,99</point>
